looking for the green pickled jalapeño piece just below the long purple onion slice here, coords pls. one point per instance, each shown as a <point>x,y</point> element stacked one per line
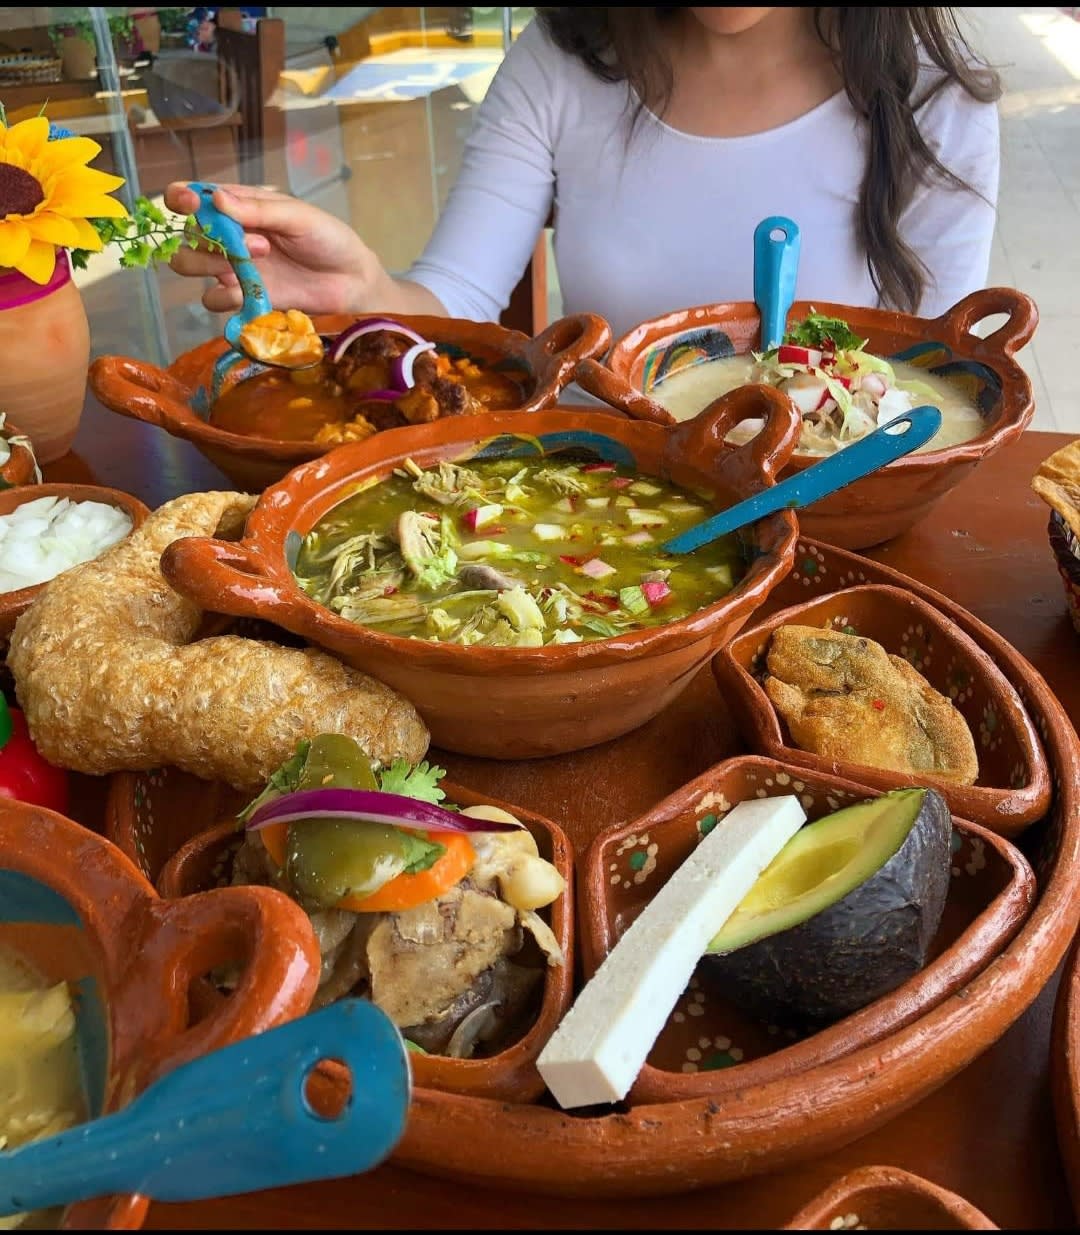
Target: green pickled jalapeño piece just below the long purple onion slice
<point>331,859</point>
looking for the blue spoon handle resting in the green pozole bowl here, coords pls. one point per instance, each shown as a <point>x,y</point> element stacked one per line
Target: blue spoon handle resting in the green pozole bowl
<point>888,443</point>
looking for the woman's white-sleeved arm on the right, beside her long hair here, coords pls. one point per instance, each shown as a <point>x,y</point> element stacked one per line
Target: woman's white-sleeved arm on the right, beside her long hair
<point>950,228</point>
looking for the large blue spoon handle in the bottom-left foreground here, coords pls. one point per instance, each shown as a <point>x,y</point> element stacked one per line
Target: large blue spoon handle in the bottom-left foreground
<point>235,1121</point>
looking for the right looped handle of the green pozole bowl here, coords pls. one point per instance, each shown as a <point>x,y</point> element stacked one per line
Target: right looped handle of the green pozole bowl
<point>748,469</point>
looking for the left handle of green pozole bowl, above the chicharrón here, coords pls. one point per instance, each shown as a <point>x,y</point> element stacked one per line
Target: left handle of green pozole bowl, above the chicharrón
<point>224,577</point>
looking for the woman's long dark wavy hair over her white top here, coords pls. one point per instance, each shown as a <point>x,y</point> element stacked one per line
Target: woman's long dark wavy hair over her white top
<point>877,54</point>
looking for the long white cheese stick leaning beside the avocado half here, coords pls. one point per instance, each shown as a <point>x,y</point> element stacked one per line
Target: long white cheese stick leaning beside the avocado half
<point>600,1047</point>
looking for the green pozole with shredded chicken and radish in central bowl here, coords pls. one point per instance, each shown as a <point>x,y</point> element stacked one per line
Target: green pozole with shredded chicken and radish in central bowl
<point>515,554</point>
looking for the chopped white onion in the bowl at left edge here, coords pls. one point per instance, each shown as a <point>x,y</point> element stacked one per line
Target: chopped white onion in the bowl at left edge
<point>44,538</point>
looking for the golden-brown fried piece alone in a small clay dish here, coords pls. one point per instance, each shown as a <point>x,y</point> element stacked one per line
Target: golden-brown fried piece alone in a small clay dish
<point>846,698</point>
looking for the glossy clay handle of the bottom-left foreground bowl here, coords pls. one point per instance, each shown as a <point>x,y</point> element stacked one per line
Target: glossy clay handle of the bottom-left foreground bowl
<point>184,940</point>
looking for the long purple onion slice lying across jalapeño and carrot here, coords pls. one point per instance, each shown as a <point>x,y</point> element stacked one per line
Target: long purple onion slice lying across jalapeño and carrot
<point>373,806</point>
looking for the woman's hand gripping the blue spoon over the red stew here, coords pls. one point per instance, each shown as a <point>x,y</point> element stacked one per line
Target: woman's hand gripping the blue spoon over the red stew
<point>310,260</point>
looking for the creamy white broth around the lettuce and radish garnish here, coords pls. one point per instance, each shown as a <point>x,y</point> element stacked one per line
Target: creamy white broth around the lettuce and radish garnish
<point>693,390</point>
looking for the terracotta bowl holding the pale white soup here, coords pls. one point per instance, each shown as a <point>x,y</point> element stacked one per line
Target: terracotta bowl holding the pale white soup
<point>888,502</point>
